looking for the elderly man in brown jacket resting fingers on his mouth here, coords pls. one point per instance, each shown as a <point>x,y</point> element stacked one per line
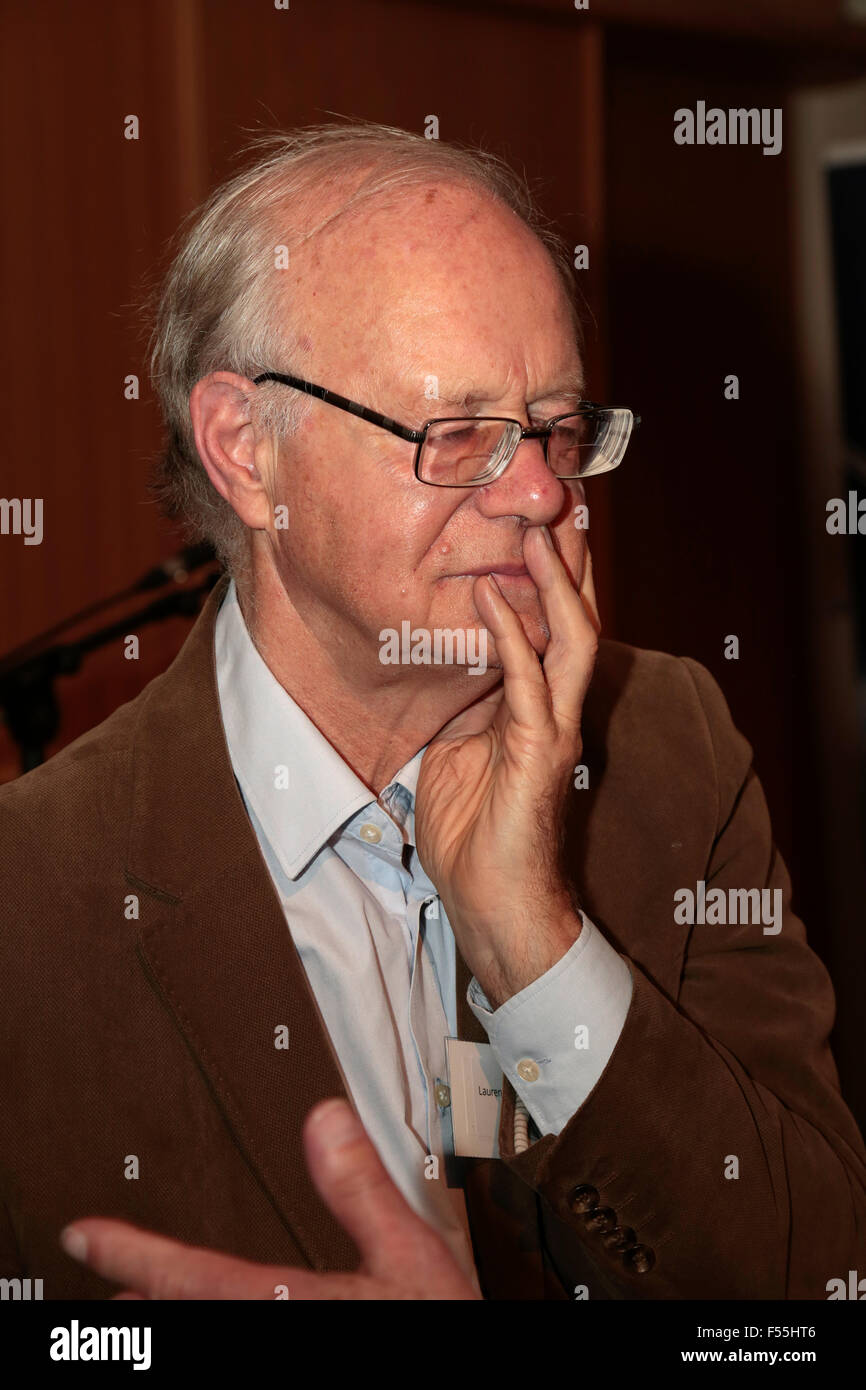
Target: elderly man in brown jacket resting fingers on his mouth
<point>394,792</point>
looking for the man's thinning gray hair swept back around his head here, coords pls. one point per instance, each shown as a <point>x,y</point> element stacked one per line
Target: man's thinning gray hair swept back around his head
<point>223,309</point>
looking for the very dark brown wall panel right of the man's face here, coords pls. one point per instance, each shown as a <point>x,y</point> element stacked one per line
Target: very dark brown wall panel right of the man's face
<point>712,536</point>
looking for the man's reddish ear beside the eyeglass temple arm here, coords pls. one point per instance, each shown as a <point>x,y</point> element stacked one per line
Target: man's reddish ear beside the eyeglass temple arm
<point>226,441</point>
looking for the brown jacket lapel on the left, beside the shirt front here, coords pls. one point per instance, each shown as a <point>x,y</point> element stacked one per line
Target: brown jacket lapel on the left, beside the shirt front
<point>213,942</point>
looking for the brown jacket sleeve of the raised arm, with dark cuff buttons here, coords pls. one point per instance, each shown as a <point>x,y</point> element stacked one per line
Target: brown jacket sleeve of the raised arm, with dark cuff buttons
<point>715,1157</point>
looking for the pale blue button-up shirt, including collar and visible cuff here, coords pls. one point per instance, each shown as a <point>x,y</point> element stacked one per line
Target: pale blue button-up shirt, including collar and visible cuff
<point>379,951</point>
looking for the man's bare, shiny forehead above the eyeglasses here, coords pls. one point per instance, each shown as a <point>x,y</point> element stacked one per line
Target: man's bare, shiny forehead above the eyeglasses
<point>444,336</point>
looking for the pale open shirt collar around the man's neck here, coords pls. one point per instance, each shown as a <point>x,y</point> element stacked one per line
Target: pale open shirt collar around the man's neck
<point>266,730</point>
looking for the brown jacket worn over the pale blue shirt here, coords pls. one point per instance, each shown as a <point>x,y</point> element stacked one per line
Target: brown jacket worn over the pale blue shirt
<point>145,964</point>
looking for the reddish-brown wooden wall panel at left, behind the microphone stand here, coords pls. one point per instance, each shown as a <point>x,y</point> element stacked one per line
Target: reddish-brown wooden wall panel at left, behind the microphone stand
<point>85,216</point>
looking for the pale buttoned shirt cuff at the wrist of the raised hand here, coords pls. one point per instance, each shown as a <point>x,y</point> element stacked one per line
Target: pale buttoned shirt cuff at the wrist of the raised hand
<point>561,1031</point>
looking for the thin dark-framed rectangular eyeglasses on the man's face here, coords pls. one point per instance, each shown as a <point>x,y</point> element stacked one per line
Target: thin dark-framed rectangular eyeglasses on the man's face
<point>477,450</point>
